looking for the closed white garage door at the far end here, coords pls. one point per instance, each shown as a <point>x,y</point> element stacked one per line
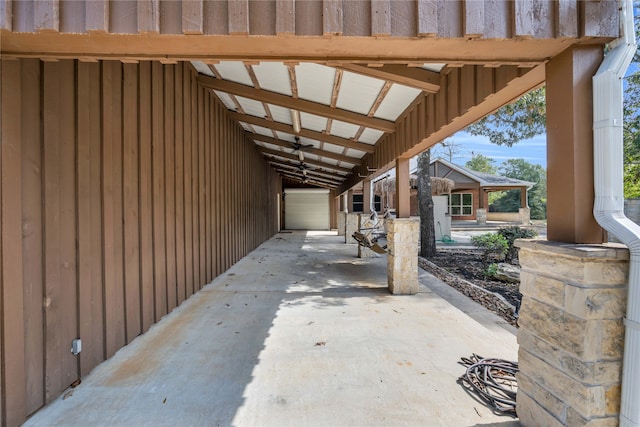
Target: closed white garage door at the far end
<point>306,209</point>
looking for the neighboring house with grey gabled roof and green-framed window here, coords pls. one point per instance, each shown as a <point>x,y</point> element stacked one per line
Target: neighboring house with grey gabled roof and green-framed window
<point>470,195</point>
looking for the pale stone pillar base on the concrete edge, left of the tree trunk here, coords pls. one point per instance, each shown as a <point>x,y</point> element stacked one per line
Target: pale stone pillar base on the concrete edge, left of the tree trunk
<point>403,244</point>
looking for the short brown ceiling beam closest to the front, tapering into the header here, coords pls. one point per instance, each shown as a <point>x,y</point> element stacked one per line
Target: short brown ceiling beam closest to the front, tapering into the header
<point>417,78</point>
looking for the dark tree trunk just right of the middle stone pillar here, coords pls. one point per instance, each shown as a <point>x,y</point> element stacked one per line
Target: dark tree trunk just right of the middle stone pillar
<point>425,207</point>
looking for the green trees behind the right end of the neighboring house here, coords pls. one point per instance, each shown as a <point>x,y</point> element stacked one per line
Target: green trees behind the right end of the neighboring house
<point>537,195</point>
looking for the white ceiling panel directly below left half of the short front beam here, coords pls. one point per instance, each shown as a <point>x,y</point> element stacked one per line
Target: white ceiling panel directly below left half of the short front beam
<point>358,92</point>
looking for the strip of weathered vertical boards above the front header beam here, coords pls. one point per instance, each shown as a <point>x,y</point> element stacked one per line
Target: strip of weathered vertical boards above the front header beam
<point>395,18</point>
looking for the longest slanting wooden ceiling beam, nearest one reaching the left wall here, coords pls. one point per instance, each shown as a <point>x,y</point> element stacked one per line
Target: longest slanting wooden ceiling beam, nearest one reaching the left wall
<point>296,104</point>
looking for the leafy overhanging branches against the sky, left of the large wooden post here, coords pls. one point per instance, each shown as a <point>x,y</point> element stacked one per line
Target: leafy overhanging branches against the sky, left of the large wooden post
<point>522,119</point>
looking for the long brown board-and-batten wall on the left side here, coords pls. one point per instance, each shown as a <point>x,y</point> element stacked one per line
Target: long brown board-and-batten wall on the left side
<point>125,188</point>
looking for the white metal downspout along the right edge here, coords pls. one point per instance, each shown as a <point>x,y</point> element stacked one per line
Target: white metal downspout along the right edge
<point>609,198</point>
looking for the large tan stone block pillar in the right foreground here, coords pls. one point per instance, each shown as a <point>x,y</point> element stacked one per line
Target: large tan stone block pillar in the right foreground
<point>571,333</point>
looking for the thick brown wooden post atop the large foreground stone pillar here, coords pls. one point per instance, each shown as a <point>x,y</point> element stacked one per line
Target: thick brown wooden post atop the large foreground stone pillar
<point>570,191</point>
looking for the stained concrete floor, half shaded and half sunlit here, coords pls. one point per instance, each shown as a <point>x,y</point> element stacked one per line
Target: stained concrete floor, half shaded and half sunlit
<point>298,333</point>
